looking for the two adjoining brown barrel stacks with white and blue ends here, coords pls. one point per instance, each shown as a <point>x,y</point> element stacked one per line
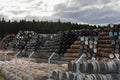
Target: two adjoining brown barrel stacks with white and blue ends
<point>97,44</point>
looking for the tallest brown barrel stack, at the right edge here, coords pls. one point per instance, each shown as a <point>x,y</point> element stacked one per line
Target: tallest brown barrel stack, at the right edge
<point>109,42</point>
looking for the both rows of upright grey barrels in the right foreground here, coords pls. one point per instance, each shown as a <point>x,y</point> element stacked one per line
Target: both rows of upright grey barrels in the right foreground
<point>90,70</point>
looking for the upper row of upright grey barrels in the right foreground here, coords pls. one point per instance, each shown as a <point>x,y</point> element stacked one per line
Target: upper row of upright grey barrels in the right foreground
<point>95,67</point>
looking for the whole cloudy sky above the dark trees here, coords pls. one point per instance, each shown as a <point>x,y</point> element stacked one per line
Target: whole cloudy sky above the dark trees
<point>78,11</point>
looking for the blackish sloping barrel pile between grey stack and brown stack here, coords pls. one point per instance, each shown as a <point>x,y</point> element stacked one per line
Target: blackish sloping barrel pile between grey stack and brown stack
<point>67,38</point>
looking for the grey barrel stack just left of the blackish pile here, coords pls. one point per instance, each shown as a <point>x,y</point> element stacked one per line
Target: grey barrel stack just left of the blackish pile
<point>51,44</point>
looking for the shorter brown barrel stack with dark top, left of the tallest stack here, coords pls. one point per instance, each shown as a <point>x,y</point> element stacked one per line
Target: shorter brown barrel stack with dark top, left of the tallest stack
<point>86,43</point>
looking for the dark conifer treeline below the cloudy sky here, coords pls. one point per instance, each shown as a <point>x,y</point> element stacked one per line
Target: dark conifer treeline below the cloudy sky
<point>8,27</point>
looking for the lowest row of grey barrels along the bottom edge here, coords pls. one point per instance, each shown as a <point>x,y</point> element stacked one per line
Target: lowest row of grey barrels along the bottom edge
<point>64,75</point>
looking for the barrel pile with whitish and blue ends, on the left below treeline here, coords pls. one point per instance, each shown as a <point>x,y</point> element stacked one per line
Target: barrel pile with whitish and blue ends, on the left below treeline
<point>25,40</point>
